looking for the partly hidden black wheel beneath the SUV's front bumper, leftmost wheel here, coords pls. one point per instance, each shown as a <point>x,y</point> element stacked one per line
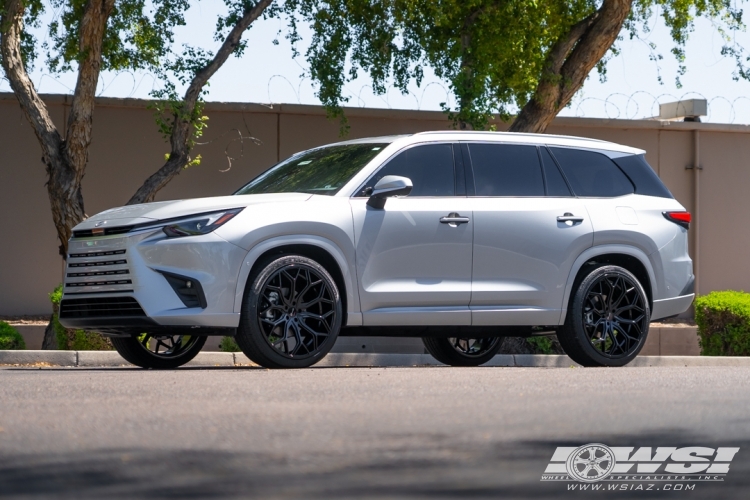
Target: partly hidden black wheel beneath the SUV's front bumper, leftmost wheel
<point>145,350</point>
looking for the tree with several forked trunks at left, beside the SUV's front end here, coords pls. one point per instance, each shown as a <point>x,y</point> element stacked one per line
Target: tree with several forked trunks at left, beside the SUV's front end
<point>99,35</point>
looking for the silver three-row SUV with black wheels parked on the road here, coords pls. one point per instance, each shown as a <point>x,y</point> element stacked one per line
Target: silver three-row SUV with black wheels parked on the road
<point>460,238</point>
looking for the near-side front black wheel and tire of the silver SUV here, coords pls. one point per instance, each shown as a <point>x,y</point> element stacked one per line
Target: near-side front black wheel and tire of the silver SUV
<point>283,327</point>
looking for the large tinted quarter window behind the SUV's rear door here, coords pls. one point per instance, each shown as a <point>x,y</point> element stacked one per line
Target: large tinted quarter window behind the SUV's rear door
<point>592,174</point>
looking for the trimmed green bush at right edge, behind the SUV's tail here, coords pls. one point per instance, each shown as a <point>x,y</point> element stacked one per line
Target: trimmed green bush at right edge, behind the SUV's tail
<point>723,320</point>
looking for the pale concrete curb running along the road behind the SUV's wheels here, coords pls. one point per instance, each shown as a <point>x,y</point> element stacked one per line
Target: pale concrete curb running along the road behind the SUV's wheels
<point>341,360</point>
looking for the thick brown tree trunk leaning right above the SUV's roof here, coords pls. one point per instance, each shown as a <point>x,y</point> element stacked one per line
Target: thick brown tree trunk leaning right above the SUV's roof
<point>569,63</point>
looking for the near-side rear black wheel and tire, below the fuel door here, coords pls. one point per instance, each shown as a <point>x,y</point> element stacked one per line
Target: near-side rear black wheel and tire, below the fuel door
<point>608,319</point>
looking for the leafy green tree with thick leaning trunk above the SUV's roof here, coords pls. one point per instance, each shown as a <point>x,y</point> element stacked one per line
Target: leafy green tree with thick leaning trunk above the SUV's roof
<point>497,56</point>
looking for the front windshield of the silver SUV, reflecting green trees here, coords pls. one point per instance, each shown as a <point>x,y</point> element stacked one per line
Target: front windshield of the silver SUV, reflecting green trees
<point>319,171</point>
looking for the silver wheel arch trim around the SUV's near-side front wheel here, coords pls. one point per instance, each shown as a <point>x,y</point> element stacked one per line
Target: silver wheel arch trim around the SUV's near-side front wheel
<point>349,273</point>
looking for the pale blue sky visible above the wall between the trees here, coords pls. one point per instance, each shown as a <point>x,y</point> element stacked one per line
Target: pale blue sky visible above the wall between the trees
<point>268,73</point>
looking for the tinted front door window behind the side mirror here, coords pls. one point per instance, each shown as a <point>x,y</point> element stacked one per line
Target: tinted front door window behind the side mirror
<point>430,168</point>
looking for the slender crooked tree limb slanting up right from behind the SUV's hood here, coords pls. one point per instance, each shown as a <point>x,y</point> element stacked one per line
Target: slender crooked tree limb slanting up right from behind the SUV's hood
<point>182,125</point>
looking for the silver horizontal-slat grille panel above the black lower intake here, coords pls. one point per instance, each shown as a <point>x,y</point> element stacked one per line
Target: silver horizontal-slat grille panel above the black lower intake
<point>98,271</point>
